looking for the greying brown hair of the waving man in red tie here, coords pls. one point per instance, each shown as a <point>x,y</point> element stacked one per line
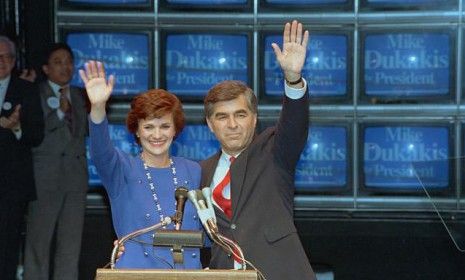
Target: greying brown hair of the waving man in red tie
<point>226,91</point>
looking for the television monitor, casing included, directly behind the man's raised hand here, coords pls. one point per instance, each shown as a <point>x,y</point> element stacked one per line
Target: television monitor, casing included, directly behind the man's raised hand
<point>327,69</point>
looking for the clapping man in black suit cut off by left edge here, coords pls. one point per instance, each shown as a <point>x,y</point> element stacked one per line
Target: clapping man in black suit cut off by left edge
<point>21,128</point>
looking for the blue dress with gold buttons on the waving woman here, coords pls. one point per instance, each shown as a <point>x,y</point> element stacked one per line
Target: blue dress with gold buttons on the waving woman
<point>132,203</point>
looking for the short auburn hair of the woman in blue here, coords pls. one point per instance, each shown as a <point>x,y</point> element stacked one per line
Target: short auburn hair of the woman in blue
<point>155,103</point>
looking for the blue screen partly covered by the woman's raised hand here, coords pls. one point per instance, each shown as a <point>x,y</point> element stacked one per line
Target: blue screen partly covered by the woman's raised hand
<point>126,55</point>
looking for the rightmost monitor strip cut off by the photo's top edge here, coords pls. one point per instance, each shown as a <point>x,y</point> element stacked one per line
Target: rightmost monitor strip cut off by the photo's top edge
<point>408,4</point>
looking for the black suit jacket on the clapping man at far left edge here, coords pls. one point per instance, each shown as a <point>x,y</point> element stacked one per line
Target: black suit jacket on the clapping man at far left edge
<point>16,171</point>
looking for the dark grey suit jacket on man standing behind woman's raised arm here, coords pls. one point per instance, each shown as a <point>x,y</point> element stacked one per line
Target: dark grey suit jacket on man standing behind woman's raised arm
<point>60,160</point>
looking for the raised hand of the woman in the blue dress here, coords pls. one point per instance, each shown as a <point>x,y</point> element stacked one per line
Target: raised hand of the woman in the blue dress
<point>97,87</point>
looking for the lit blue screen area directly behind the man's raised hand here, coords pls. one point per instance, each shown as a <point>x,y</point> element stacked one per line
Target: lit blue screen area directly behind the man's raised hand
<point>325,66</point>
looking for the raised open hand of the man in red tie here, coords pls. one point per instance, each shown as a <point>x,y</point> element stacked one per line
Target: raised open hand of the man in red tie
<point>292,57</point>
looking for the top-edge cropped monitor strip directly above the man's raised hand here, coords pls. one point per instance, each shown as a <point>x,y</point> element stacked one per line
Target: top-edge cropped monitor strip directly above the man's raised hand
<point>307,4</point>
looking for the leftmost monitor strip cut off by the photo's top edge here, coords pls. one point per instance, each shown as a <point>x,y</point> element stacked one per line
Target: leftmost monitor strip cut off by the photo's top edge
<point>107,4</point>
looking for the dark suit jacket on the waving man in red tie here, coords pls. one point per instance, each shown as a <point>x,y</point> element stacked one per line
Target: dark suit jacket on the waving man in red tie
<point>262,191</point>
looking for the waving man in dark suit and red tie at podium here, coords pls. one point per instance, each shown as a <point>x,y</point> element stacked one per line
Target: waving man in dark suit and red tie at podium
<point>253,195</point>
